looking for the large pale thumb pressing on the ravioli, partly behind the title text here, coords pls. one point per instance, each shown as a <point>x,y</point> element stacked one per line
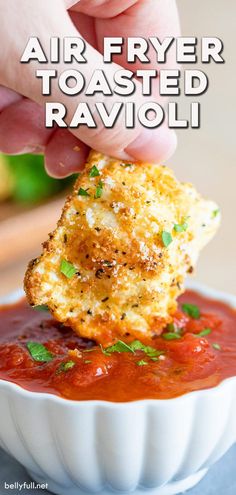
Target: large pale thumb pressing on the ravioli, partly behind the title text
<point>137,143</point>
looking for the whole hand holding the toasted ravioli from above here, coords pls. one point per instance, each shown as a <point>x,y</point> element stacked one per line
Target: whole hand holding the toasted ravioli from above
<point>21,103</point>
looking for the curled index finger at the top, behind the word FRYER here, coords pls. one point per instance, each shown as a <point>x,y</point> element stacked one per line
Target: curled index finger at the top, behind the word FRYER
<point>134,18</point>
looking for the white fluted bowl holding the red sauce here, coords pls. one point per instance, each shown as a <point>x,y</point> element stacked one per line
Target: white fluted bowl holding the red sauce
<point>157,447</point>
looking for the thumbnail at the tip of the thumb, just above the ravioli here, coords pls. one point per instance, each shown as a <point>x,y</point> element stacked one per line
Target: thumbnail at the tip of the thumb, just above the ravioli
<point>154,145</point>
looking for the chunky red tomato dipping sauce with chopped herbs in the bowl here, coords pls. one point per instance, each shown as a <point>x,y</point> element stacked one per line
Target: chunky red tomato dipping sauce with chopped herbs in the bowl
<point>175,365</point>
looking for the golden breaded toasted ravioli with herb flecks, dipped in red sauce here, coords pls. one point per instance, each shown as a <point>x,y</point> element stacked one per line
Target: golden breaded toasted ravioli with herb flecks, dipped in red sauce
<point>126,239</point>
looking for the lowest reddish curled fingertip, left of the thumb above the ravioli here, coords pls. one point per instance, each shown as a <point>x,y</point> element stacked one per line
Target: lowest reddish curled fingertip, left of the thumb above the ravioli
<point>64,154</point>
